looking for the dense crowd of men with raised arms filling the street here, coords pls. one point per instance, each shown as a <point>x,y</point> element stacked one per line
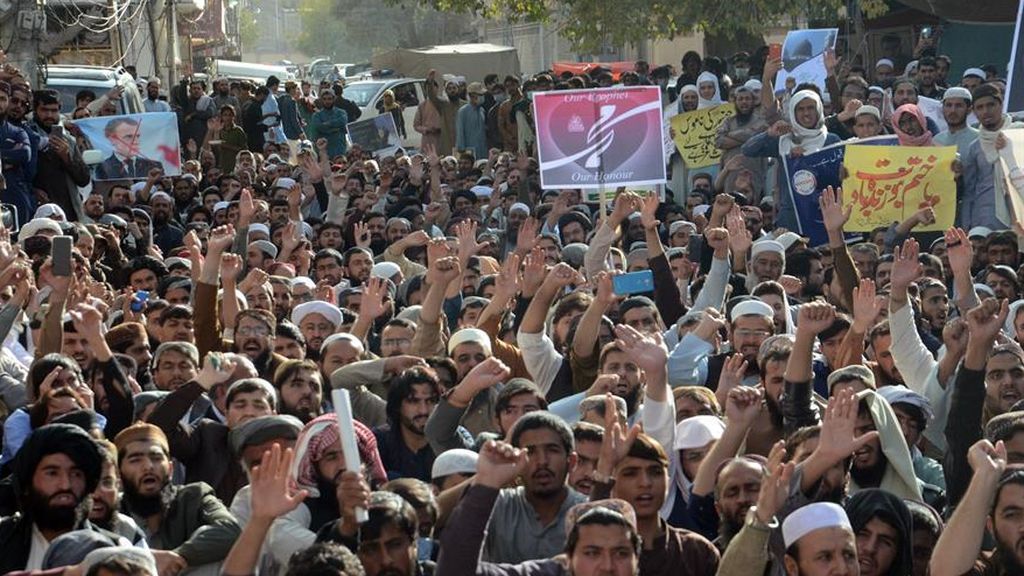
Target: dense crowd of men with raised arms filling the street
<point>771,407</point>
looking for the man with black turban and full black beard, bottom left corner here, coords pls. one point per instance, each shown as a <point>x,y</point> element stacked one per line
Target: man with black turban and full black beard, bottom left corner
<point>59,468</point>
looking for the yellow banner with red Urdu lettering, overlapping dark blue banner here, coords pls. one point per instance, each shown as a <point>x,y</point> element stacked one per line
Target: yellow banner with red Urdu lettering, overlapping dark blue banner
<point>887,186</point>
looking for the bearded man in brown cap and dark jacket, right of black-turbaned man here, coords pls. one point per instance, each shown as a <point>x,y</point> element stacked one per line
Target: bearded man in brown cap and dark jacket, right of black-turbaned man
<point>188,525</point>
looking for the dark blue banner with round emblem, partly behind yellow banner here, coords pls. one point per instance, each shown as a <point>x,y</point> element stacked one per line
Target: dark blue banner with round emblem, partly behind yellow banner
<point>812,174</point>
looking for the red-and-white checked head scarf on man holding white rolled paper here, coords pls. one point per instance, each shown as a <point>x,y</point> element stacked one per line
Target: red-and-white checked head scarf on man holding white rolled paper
<point>319,435</point>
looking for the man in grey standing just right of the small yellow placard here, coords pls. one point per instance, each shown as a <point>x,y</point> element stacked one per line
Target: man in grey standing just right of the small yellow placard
<point>734,133</point>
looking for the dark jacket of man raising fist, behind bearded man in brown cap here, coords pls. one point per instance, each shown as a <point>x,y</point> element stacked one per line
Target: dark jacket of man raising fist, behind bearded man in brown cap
<point>202,447</point>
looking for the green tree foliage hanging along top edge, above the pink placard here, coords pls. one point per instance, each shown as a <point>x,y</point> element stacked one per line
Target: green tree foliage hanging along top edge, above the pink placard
<point>589,25</point>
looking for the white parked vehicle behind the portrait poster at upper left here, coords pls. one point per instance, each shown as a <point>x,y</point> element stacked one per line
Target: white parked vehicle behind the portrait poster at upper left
<point>70,80</point>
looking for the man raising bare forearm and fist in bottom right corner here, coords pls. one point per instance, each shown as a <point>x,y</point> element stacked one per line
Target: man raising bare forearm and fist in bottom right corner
<point>990,507</point>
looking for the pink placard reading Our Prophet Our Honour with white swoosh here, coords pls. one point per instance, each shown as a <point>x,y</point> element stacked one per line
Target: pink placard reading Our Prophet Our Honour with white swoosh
<point>602,138</point>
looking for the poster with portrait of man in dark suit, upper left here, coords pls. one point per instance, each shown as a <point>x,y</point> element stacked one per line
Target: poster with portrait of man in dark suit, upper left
<point>134,144</point>
